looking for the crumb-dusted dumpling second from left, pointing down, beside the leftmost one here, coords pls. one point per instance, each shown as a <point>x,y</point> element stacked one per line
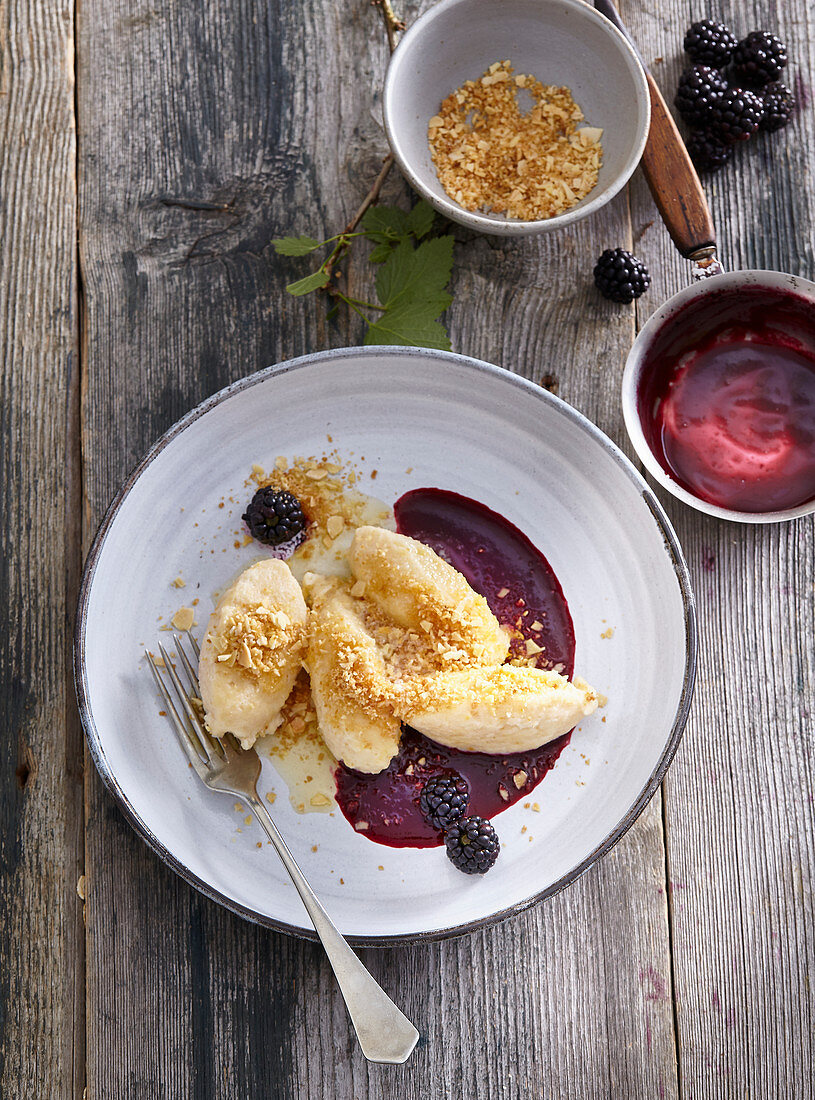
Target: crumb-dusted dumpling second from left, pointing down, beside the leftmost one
<point>349,681</point>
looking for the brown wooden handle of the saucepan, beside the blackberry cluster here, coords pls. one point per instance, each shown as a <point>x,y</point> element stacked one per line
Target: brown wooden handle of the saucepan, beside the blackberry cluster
<point>675,183</point>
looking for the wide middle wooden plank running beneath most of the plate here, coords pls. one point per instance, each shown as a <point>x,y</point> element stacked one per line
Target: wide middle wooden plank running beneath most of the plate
<point>205,134</point>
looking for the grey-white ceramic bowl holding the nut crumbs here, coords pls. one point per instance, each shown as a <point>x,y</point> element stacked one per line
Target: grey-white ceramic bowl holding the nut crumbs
<point>559,42</point>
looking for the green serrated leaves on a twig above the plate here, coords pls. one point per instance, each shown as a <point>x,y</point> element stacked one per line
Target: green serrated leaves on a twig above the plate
<point>412,280</point>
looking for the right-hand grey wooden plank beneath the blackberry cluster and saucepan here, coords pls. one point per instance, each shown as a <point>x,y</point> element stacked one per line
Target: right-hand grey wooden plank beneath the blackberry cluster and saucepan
<point>740,805</point>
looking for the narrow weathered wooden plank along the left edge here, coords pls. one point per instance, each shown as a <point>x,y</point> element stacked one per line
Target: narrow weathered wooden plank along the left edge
<point>41,809</point>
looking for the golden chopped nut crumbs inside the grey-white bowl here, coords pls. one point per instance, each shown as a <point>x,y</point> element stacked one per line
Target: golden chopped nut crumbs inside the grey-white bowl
<point>493,156</point>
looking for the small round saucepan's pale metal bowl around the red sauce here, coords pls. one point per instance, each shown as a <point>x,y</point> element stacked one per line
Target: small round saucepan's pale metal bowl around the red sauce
<point>678,313</point>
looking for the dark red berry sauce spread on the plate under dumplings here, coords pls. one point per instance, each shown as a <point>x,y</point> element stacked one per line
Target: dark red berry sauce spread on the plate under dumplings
<point>524,593</point>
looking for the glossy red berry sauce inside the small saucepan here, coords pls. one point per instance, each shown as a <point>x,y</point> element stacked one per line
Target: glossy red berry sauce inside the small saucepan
<point>728,400</point>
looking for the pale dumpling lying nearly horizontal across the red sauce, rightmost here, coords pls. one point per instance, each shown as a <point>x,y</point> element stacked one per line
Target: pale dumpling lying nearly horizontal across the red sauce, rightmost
<point>499,710</point>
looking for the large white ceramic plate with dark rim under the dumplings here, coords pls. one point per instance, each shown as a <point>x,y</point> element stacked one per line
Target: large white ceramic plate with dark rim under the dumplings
<point>459,425</point>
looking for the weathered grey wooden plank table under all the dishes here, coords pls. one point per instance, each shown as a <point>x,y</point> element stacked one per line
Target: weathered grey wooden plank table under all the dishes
<point>150,151</point>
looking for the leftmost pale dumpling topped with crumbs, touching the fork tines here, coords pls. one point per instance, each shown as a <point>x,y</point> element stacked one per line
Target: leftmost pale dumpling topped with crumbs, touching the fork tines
<point>252,652</point>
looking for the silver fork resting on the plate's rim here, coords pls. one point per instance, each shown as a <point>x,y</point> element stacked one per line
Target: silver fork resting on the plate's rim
<point>386,1035</point>
